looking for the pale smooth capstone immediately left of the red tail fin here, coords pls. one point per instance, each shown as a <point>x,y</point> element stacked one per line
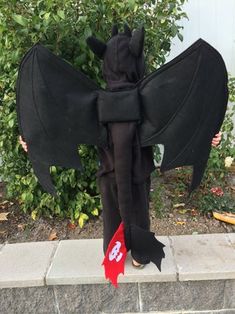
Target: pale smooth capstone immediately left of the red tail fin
<point>77,262</point>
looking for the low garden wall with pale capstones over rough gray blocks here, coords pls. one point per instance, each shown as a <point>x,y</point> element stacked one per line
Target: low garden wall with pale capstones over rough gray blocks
<point>198,276</point>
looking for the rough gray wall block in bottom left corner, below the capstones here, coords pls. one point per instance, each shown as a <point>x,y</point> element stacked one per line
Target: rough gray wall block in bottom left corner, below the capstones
<point>33,300</point>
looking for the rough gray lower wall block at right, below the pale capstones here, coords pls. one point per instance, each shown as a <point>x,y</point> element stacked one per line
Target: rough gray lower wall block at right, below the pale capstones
<point>176,296</point>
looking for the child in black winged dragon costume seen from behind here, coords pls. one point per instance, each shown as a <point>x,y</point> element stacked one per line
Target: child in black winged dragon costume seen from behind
<point>125,111</point>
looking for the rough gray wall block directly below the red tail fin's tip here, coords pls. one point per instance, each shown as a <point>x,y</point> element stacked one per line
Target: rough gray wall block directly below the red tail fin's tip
<point>100,298</point>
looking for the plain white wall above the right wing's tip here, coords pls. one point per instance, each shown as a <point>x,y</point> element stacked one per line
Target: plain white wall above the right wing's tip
<point>213,21</point>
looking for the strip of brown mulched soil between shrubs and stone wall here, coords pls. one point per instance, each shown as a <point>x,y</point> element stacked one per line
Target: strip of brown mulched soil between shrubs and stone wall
<point>176,219</point>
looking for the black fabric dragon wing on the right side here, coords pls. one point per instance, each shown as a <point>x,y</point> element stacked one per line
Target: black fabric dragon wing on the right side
<point>184,104</point>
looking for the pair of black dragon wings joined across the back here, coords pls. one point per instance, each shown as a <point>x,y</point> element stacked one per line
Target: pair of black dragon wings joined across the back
<point>182,106</point>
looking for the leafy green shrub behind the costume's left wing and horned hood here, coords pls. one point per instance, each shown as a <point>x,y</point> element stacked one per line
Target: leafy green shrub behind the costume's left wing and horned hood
<point>63,26</point>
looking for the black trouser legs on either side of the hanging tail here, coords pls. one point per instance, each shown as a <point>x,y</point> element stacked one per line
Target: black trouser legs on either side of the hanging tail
<point>139,213</point>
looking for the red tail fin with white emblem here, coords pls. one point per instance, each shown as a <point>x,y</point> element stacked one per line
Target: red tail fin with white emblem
<point>115,256</point>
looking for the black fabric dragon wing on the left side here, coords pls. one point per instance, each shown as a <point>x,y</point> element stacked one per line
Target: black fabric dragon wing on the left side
<point>56,107</point>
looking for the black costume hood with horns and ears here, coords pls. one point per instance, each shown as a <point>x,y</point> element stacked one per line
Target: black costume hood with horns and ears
<point>123,58</point>
